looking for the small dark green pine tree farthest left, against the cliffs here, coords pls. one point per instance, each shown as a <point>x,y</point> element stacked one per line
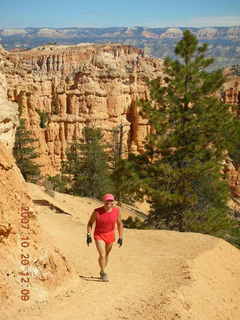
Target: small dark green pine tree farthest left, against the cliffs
<point>24,152</point>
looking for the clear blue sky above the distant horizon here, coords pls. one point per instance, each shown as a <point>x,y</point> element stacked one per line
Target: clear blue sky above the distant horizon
<point>124,13</point>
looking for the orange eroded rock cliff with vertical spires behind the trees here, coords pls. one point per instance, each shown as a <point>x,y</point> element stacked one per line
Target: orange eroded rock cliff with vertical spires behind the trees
<point>79,86</point>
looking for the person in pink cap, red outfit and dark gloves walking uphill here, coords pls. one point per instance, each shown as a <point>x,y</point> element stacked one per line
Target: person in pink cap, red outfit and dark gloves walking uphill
<point>106,218</point>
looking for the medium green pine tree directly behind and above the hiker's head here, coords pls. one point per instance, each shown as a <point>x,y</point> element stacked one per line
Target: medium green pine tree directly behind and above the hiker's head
<point>87,163</point>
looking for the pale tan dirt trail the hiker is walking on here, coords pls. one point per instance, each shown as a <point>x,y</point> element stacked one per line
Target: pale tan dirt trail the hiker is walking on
<point>156,274</point>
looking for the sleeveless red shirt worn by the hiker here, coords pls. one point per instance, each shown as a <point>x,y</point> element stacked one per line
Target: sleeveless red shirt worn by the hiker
<point>105,221</point>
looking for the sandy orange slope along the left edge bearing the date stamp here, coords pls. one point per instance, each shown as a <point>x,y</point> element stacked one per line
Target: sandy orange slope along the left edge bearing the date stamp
<point>24,247</point>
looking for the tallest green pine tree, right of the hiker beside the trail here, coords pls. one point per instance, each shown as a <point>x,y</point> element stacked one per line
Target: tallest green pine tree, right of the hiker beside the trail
<point>192,130</point>
